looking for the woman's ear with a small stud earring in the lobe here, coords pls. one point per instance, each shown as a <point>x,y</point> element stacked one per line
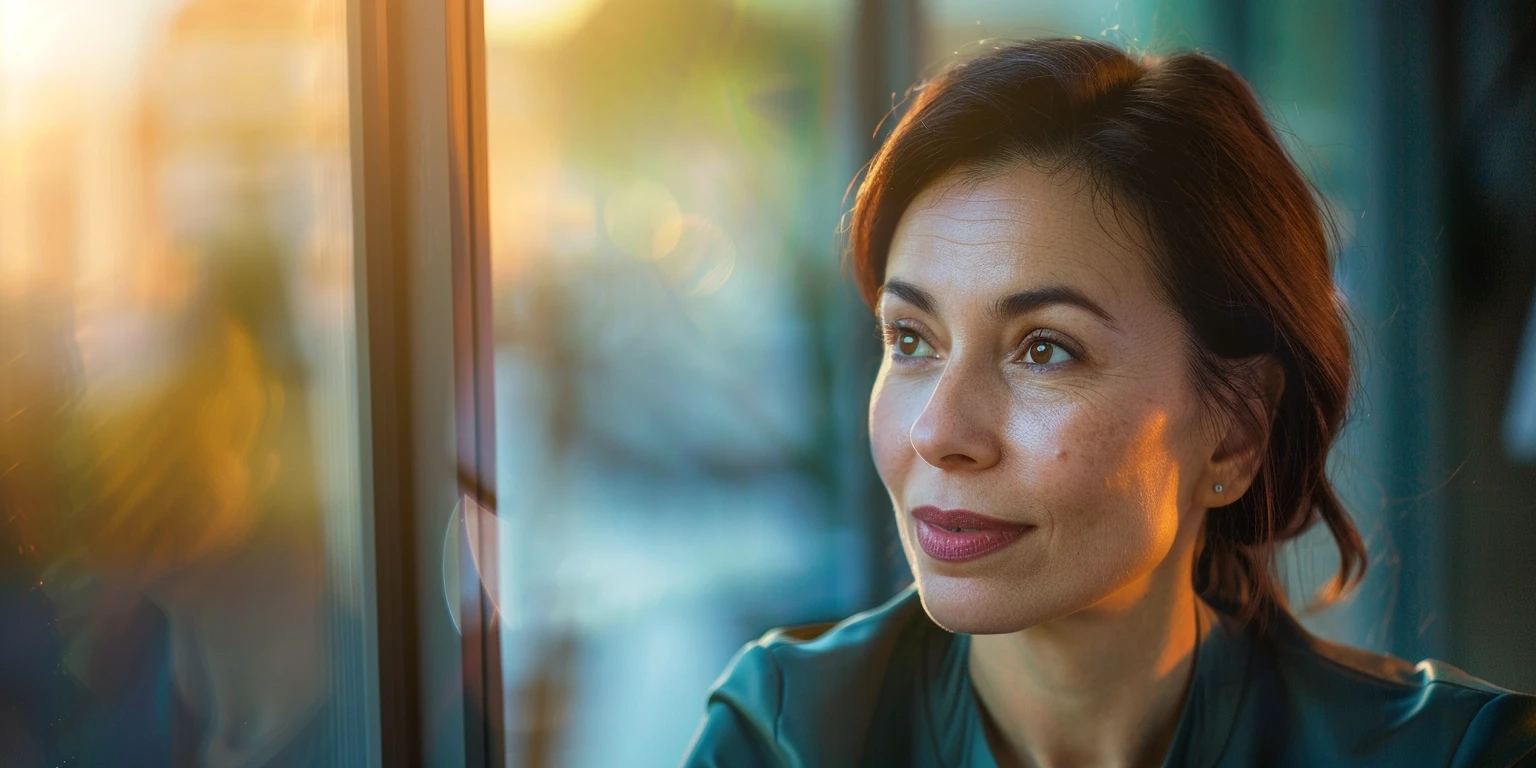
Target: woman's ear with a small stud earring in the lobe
<point>1243,434</point>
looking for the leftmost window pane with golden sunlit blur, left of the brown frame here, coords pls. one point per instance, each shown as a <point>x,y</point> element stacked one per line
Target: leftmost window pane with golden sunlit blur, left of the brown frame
<point>184,552</point>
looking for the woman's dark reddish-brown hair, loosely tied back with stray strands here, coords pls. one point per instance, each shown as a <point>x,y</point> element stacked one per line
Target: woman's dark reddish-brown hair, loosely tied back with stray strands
<point>1240,250</point>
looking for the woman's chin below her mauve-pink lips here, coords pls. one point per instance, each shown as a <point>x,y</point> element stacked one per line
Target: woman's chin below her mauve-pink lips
<point>988,604</point>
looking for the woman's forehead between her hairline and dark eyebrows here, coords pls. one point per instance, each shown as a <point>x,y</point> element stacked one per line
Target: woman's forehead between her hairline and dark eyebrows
<point>964,239</point>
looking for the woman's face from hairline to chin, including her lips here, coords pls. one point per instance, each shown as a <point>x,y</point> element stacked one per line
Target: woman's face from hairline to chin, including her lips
<point>1036,380</point>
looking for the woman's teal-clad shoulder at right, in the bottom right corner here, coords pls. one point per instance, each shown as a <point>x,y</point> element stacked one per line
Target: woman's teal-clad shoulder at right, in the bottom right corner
<point>1397,712</point>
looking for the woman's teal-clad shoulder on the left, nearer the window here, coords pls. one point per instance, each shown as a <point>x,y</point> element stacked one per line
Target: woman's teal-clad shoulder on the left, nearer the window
<point>807,690</point>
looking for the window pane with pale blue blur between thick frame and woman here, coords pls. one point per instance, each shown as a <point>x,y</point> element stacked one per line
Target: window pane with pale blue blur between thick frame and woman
<point>678,360</point>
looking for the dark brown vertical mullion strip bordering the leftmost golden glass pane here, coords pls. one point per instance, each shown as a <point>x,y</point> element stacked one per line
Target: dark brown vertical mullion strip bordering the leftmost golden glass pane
<point>385,396</point>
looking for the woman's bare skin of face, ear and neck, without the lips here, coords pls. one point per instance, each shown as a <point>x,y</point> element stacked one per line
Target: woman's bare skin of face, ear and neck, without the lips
<point>1036,374</point>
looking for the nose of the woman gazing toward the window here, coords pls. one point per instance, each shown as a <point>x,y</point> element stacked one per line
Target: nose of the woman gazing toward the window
<point>959,428</point>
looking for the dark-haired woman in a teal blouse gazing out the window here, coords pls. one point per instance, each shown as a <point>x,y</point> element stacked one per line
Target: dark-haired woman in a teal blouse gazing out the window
<point>1116,363</point>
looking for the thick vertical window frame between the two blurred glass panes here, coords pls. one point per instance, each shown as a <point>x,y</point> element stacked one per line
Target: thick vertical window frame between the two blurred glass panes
<point>417,82</point>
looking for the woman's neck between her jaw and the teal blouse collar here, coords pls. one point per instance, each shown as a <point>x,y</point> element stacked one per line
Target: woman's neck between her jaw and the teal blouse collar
<point>1104,686</point>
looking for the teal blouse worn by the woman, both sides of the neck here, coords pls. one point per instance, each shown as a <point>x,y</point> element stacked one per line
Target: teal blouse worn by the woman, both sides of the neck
<point>892,689</point>
